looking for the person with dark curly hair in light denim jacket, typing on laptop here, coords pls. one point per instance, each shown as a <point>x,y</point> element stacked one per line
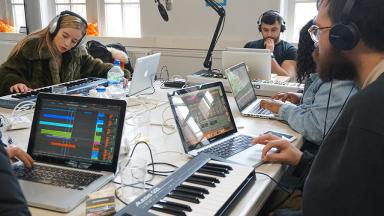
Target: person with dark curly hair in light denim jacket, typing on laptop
<point>313,112</point>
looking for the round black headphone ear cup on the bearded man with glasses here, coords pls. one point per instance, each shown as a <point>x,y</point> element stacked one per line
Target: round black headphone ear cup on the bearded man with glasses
<point>344,36</point>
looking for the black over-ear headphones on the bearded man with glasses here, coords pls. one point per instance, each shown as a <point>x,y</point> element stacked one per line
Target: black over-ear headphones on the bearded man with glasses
<point>344,35</point>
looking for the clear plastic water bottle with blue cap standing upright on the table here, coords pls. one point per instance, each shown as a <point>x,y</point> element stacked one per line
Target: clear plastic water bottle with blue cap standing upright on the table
<point>115,81</point>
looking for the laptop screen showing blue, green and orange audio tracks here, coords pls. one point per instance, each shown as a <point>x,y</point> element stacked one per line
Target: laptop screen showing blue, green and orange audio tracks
<point>79,130</point>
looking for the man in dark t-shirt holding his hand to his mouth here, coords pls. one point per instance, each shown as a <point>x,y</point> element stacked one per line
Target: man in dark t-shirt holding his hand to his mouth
<point>270,25</point>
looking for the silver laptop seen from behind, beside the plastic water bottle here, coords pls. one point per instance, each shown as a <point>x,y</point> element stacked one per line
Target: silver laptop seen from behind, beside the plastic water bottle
<point>144,73</point>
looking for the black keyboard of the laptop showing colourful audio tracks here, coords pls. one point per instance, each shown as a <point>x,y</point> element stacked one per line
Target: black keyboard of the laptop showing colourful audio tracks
<point>56,176</point>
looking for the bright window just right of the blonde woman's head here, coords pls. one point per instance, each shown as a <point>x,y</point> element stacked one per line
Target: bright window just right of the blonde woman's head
<point>122,18</point>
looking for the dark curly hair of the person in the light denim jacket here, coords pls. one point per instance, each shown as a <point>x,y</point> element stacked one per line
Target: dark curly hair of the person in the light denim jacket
<point>305,63</point>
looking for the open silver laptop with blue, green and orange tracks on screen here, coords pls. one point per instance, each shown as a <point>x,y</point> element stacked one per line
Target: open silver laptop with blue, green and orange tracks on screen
<point>75,143</point>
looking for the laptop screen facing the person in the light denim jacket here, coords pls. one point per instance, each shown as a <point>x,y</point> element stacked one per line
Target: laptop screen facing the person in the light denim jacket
<point>241,85</point>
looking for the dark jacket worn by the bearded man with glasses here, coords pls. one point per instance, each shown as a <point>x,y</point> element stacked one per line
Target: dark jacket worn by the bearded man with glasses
<point>346,178</point>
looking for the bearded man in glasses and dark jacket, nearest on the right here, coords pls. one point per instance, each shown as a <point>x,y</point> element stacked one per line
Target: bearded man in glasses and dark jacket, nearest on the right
<point>345,177</point>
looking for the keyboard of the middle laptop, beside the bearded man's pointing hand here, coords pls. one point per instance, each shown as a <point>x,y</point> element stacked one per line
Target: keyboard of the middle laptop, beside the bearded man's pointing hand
<point>230,147</point>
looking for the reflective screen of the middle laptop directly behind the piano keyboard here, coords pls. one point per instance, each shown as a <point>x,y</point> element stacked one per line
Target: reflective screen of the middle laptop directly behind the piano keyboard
<point>202,114</point>
